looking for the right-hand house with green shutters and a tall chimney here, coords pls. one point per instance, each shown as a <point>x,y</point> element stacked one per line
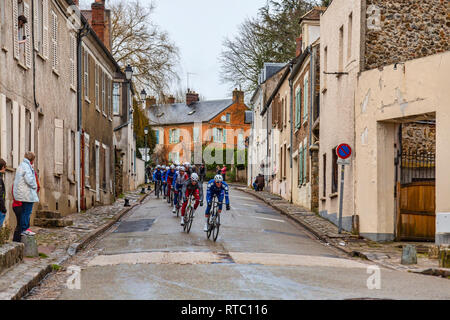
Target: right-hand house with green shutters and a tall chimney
<point>295,120</point>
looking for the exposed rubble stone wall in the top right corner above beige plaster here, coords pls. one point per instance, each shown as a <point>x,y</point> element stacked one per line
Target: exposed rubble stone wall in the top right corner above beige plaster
<point>402,30</point>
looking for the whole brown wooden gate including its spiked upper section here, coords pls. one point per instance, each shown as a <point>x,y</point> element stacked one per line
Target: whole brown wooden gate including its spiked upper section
<point>417,205</point>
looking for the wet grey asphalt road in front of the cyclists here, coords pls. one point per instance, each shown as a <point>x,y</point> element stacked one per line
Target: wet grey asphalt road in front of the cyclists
<point>260,254</point>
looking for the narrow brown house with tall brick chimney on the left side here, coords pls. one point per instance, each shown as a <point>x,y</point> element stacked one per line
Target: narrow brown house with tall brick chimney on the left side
<point>99,72</point>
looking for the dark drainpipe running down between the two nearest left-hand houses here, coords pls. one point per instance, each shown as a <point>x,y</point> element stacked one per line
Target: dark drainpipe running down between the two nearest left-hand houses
<point>80,187</point>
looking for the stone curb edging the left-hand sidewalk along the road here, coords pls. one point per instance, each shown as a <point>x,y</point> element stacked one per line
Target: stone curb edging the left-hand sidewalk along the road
<point>72,250</point>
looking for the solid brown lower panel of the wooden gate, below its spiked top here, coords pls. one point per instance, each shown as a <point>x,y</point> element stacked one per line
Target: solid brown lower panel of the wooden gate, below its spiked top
<point>417,219</point>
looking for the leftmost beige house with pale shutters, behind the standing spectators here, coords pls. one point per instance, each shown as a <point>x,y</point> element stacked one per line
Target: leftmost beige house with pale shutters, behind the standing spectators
<point>38,98</point>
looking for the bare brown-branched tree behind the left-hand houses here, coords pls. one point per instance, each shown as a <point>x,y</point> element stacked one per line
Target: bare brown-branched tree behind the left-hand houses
<point>138,41</point>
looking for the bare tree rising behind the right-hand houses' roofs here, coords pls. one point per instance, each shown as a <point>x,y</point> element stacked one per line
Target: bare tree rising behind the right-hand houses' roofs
<point>268,37</point>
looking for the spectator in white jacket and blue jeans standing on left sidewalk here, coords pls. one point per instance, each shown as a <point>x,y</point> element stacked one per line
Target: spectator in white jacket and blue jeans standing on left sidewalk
<point>25,191</point>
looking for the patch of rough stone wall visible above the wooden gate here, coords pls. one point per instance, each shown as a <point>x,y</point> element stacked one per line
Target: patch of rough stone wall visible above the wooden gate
<point>419,138</point>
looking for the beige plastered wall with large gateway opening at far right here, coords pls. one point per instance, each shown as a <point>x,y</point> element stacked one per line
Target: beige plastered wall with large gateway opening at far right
<point>385,99</point>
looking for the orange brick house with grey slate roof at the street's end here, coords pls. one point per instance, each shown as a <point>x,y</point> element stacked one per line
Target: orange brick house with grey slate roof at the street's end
<point>184,128</point>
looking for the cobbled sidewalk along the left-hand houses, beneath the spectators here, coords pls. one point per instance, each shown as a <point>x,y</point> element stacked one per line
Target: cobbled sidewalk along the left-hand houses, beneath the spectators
<point>57,245</point>
